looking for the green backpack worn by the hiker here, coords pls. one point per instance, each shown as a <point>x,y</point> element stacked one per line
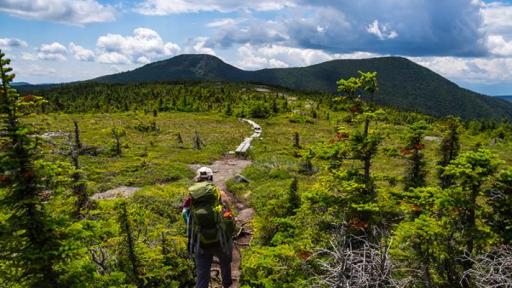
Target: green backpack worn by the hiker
<point>207,227</point>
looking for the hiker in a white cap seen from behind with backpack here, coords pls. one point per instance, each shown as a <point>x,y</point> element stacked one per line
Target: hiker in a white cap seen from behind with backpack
<point>210,227</point>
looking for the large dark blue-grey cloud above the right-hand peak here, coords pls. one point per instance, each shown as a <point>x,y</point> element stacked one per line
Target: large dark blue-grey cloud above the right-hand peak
<point>415,28</point>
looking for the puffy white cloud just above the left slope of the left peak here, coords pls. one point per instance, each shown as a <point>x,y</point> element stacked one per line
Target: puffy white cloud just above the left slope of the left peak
<point>145,45</point>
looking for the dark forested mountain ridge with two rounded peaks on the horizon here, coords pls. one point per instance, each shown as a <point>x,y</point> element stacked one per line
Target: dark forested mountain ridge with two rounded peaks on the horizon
<point>403,83</point>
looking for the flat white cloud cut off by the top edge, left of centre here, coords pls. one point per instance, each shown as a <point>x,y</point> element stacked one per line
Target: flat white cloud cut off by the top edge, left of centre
<point>166,7</point>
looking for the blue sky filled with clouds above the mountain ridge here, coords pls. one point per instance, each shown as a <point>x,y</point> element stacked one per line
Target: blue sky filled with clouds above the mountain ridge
<point>467,41</point>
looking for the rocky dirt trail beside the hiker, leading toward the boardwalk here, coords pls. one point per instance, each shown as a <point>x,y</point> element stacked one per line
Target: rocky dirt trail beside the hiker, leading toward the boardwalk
<point>223,170</point>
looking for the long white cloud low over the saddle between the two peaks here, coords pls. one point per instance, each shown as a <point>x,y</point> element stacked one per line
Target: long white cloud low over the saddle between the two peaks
<point>276,56</point>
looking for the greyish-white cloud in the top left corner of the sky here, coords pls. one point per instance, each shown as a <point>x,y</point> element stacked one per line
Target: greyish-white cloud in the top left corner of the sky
<point>76,12</point>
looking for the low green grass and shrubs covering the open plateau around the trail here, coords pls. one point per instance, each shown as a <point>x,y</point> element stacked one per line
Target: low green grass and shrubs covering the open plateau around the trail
<point>152,158</point>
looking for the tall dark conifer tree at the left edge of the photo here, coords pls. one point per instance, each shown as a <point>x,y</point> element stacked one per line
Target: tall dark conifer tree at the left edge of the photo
<point>28,242</point>
